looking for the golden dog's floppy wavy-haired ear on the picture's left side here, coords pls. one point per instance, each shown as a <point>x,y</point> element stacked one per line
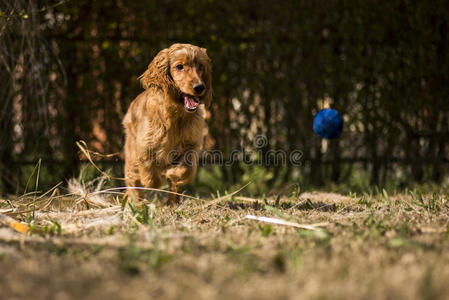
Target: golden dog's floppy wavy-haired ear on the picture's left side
<point>158,72</point>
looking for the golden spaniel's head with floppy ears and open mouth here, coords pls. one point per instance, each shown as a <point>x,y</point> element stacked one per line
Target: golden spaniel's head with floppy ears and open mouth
<point>184,72</point>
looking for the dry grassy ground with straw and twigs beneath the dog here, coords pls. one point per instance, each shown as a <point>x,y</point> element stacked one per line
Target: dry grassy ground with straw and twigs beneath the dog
<point>357,247</point>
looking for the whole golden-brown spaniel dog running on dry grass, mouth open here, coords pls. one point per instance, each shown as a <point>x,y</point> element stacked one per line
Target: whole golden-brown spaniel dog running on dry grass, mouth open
<point>164,124</point>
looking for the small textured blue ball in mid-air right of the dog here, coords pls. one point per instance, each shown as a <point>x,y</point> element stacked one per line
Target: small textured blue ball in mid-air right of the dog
<point>328,123</point>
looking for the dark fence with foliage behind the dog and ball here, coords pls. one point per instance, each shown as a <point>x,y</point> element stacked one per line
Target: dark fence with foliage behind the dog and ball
<point>70,68</point>
